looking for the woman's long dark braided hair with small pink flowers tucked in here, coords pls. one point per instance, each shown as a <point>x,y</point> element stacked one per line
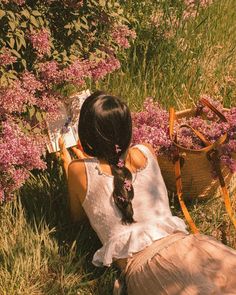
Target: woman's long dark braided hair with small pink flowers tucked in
<point>105,130</point>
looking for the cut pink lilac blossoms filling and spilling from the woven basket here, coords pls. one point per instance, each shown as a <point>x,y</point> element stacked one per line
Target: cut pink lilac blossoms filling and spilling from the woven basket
<point>152,126</point>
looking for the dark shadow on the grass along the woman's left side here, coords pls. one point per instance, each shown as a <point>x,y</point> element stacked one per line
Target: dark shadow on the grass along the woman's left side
<point>44,199</point>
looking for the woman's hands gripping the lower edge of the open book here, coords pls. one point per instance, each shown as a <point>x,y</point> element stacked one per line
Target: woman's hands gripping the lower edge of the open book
<point>65,156</point>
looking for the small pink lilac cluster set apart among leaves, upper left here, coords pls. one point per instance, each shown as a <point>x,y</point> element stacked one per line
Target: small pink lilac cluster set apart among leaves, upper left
<point>40,41</point>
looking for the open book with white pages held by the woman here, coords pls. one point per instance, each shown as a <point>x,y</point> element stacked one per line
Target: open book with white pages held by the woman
<point>67,124</point>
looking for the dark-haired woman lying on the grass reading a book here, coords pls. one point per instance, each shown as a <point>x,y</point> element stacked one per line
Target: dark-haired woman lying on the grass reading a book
<point>122,192</point>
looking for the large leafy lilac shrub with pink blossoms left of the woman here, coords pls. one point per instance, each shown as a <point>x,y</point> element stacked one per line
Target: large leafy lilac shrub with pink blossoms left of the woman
<point>45,47</point>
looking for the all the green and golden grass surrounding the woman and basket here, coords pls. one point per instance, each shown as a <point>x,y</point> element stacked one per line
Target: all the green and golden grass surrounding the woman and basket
<point>41,251</point>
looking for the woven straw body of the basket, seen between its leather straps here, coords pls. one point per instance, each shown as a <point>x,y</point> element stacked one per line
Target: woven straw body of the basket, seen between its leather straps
<point>196,170</point>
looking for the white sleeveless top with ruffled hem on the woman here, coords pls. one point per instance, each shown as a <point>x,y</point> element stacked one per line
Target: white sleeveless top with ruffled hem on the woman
<point>151,211</point>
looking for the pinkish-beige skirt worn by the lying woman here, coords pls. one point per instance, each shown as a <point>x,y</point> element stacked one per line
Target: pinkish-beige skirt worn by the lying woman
<point>182,264</point>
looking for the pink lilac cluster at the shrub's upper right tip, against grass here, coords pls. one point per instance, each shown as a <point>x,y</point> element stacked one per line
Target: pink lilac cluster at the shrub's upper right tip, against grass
<point>120,35</point>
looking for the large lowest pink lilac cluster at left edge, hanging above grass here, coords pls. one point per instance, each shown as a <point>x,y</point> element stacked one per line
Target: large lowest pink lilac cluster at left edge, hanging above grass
<point>19,154</point>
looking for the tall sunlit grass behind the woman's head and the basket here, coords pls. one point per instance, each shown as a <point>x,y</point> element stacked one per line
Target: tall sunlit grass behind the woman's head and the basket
<point>198,58</point>
